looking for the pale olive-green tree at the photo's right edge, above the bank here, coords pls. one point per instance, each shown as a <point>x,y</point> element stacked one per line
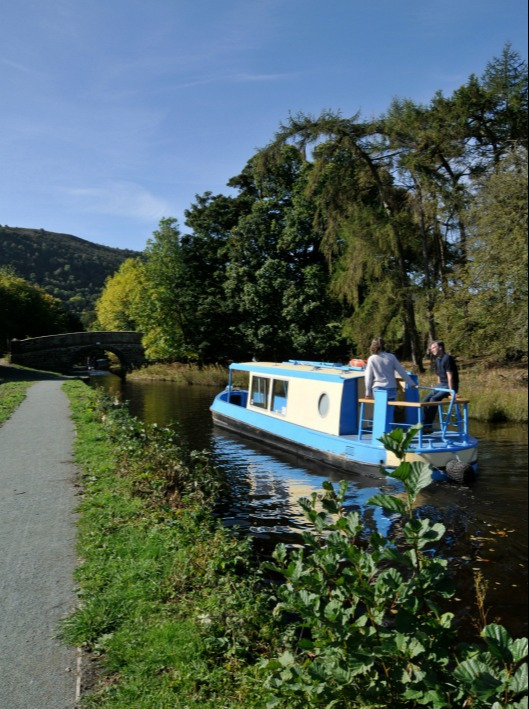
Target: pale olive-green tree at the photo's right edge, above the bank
<point>485,312</point>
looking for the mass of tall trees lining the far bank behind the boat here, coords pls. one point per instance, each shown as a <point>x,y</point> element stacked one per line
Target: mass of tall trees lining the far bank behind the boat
<point>410,225</point>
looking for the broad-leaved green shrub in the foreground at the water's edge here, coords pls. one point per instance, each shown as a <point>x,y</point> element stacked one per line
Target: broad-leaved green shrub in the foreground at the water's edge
<point>367,628</point>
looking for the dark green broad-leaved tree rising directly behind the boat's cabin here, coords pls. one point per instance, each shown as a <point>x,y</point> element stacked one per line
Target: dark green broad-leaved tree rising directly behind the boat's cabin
<point>277,278</point>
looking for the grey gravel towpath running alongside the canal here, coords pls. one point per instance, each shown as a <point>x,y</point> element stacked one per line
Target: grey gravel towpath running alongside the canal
<point>37,551</point>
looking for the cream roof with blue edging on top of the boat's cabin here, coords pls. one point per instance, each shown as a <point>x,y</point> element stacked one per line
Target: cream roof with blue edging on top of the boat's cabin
<point>328,371</point>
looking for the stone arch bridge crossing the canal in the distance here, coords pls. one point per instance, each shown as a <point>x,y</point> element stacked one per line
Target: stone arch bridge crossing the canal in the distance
<point>59,353</point>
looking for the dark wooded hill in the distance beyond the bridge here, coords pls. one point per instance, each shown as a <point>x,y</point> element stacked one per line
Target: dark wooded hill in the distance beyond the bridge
<point>72,269</point>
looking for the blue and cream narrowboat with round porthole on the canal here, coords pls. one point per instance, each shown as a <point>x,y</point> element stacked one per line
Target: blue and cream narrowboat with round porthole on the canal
<point>319,411</point>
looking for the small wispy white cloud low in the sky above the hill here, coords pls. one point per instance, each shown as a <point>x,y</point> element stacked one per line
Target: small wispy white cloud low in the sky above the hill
<point>121,199</point>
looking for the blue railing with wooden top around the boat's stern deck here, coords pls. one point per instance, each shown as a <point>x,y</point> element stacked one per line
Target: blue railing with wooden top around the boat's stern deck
<point>452,412</point>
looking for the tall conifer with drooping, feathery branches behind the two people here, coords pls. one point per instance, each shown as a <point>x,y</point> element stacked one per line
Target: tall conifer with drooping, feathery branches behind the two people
<point>367,232</point>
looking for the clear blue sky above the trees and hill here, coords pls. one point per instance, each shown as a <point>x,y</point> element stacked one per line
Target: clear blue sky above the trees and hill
<point>116,113</point>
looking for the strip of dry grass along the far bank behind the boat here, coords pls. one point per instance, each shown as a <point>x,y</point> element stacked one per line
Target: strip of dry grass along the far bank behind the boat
<point>496,393</point>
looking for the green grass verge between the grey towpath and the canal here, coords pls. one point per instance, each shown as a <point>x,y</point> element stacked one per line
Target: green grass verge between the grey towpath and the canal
<point>164,591</point>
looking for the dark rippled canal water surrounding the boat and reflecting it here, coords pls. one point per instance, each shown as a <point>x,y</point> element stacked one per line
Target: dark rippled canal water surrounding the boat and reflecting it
<point>486,522</point>
